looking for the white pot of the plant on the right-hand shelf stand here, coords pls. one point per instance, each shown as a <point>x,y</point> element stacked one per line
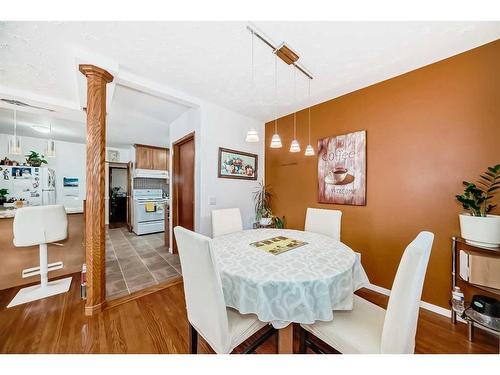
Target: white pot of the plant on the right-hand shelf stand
<point>481,231</point>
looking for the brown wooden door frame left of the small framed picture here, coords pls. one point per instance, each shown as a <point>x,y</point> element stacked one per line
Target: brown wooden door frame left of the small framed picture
<point>175,184</point>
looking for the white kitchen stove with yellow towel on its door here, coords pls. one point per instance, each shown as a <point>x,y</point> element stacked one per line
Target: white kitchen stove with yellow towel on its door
<point>149,211</point>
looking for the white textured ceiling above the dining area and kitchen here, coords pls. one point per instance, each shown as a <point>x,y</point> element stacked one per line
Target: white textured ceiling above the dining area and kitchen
<point>212,61</point>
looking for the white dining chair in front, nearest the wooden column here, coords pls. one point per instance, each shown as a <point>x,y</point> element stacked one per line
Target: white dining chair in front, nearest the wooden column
<point>223,328</point>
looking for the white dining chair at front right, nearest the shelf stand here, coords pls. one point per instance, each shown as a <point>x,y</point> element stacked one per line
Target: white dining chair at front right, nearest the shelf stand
<point>370,329</point>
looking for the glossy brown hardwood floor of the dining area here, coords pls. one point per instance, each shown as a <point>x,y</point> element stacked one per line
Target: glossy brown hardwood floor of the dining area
<point>156,323</point>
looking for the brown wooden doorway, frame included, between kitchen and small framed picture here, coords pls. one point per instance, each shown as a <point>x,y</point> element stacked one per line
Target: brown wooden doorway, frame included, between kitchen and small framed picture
<point>183,184</point>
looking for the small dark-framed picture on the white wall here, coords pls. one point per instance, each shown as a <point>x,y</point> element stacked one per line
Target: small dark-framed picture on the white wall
<point>237,164</point>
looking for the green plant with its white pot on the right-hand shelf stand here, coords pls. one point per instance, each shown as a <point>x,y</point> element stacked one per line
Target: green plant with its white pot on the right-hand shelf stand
<point>478,227</point>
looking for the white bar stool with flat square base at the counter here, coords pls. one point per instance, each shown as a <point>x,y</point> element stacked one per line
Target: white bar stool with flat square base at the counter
<point>40,225</point>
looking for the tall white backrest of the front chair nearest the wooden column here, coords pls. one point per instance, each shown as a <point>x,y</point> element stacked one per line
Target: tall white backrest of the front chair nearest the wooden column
<point>205,304</point>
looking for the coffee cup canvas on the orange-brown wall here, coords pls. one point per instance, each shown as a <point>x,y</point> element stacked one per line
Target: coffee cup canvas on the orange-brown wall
<point>342,169</point>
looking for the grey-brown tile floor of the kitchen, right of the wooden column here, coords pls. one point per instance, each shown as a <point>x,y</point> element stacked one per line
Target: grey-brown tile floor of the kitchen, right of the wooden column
<point>137,262</point>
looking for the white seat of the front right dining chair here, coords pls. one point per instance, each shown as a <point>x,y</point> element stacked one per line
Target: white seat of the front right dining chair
<point>352,332</point>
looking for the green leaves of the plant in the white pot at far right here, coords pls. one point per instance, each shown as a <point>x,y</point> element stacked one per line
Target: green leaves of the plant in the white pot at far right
<point>477,199</point>
